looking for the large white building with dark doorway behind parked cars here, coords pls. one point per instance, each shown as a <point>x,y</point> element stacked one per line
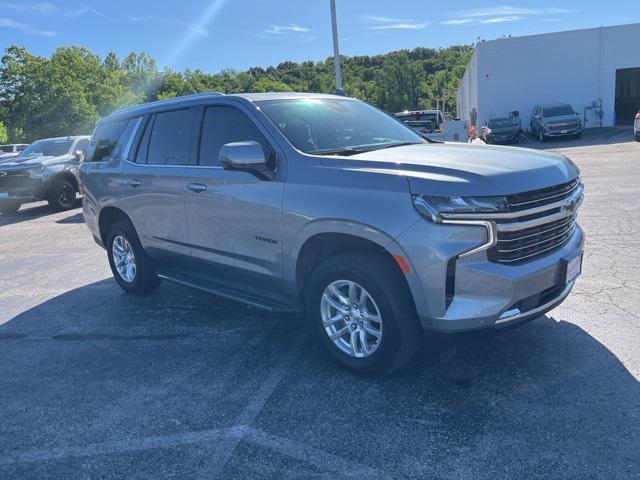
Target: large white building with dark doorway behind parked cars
<point>581,67</point>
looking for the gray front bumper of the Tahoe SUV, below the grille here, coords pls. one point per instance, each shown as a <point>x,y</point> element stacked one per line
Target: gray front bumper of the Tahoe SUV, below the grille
<point>456,293</point>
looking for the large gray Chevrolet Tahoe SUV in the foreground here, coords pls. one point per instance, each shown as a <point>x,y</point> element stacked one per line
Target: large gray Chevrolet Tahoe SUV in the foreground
<point>326,205</point>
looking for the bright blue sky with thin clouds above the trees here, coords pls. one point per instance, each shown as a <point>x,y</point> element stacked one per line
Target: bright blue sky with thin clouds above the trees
<point>216,34</point>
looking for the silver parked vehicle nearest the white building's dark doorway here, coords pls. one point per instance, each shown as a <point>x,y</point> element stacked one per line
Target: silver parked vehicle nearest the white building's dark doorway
<point>555,120</point>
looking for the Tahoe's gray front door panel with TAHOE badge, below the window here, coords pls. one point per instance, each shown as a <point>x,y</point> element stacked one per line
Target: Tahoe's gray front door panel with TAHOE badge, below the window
<point>235,227</point>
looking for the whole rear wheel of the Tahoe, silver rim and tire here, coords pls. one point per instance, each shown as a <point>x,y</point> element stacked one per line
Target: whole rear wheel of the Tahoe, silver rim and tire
<point>131,266</point>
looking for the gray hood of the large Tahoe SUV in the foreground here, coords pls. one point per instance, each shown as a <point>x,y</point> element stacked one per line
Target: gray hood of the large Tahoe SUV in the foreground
<point>464,169</point>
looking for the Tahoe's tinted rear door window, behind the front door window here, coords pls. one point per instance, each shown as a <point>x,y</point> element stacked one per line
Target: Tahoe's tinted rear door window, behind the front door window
<point>170,138</point>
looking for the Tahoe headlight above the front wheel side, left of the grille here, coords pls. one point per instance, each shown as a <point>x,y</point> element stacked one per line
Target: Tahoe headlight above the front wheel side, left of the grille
<point>435,208</point>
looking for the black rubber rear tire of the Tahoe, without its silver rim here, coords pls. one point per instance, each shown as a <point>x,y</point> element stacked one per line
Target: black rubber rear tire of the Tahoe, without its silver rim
<point>145,279</point>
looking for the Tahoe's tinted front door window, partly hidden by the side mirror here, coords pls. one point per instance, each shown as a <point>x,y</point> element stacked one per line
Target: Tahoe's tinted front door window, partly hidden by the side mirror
<point>223,125</point>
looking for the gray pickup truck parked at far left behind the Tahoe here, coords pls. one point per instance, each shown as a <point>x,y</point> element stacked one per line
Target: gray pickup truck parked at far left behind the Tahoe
<point>45,170</point>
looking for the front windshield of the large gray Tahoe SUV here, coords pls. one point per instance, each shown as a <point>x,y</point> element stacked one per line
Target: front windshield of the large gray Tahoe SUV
<point>326,126</point>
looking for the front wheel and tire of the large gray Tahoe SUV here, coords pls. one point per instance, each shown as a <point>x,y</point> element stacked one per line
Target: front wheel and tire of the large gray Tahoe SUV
<point>361,311</point>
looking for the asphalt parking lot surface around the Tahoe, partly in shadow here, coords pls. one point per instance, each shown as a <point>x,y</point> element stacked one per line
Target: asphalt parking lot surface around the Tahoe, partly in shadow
<point>95,383</point>
